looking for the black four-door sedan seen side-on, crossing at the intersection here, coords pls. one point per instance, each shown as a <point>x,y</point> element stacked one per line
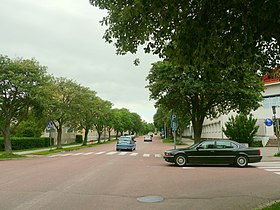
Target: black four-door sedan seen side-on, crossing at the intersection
<point>214,152</point>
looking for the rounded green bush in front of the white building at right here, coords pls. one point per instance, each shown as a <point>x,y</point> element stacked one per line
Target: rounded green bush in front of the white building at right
<point>241,128</point>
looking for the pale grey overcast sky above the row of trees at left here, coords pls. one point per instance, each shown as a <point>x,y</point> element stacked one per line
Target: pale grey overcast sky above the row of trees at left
<point>66,36</point>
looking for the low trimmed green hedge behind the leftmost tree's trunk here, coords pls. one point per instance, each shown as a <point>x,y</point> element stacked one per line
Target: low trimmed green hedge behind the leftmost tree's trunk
<point>20,143</point>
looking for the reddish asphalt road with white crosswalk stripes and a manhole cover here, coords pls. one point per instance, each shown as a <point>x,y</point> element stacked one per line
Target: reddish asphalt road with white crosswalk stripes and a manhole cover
<point>101,178</point>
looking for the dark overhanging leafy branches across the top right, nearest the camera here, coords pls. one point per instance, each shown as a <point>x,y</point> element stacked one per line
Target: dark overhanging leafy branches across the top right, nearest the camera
<point>189,31</point>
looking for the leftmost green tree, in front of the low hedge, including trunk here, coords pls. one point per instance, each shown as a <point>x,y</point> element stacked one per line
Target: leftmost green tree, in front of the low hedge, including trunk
<point>21,83</point>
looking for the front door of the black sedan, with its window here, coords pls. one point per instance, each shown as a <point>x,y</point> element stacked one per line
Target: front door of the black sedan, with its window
<point>204,153</point>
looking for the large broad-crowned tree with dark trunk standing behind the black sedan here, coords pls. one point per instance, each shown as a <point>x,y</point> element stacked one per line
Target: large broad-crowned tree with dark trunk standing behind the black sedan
<point>199,93</point>
